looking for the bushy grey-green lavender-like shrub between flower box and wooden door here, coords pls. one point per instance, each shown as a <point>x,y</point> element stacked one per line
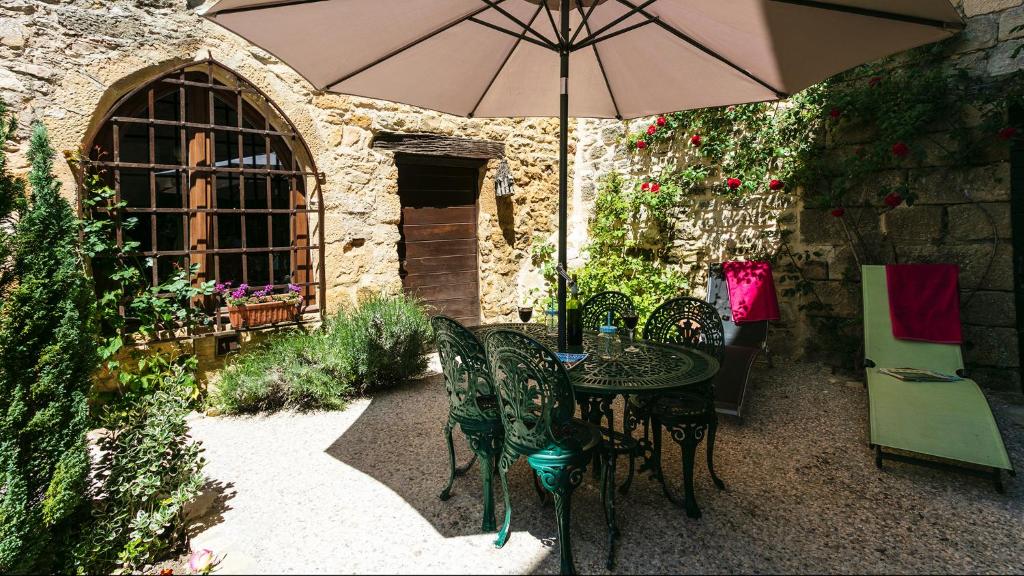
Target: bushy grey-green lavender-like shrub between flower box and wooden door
<point>377,346</point>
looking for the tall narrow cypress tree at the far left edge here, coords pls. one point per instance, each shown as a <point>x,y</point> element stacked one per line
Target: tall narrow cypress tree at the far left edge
<point>48,356</point>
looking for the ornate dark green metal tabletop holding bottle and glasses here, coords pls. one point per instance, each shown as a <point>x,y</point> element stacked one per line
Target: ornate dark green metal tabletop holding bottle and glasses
<point>653,368</point>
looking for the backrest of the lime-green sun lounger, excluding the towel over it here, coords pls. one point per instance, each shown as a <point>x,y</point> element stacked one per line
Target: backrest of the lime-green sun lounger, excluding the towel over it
<point>885,350</point>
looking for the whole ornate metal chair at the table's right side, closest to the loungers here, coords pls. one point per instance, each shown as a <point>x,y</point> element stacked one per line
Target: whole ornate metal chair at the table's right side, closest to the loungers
<point>689,416</point>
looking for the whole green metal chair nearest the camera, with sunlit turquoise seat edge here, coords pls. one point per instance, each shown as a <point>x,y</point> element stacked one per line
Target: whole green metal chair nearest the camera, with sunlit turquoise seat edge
<point>537,407</point>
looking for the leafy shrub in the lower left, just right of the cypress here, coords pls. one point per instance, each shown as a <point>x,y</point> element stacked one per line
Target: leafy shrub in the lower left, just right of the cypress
<point>149,471</point>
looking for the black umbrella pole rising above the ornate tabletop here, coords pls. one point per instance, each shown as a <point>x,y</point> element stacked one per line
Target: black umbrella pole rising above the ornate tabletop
<point>564,173</point>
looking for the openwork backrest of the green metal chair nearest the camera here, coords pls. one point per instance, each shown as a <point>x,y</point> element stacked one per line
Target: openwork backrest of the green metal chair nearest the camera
<point>535,394</point>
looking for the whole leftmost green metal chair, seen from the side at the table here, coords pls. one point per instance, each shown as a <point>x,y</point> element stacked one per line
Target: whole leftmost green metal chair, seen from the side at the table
<point>473,406</point>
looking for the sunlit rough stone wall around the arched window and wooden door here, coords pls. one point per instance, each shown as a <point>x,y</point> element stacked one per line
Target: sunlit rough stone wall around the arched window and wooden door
<point>66,62</point>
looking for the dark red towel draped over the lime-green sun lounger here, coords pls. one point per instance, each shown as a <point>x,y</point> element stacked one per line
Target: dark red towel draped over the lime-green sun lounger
<point>924,303</point>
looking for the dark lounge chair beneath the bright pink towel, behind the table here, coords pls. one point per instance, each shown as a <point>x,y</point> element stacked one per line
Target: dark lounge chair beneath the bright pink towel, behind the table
<point>743,345</point>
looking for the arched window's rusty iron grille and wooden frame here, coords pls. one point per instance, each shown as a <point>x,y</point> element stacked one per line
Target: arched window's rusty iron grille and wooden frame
<point>198,175</point>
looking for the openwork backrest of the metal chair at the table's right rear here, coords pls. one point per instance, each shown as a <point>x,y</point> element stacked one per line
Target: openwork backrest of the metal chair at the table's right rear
<point>688,322</point>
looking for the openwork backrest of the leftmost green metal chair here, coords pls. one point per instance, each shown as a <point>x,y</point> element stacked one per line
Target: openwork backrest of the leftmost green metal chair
<point>465,365</point>
